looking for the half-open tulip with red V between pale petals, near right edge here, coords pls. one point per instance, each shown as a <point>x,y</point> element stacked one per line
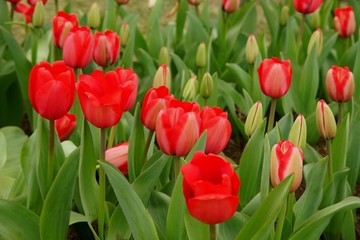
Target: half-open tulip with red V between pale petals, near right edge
<point>340,83</point>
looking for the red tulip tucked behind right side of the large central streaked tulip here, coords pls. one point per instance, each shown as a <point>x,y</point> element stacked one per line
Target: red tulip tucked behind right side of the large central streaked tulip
<point>218,127</point>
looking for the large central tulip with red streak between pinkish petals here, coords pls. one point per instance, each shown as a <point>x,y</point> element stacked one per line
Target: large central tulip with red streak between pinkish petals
<point>178,127</point>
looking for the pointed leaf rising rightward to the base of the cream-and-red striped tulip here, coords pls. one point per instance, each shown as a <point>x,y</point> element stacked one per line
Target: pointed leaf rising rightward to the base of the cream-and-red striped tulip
<point>264,218</point>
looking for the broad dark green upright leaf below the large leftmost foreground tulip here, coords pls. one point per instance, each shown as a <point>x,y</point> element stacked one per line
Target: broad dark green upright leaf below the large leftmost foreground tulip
<point>55,215</point>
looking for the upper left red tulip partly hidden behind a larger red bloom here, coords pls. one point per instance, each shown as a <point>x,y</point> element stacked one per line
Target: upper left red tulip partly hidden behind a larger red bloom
<point>62,24</point>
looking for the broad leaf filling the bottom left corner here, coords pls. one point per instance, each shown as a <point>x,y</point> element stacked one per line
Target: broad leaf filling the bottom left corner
<point>17,222</point>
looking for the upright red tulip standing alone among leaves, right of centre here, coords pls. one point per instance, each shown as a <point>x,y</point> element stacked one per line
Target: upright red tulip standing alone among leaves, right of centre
<point>275,77</point>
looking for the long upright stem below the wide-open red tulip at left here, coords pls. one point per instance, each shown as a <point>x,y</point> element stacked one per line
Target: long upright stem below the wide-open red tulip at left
<point>101,213</point>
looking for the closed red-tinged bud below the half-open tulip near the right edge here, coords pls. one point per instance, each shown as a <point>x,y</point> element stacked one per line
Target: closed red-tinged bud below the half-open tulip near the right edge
<point>325,120</point>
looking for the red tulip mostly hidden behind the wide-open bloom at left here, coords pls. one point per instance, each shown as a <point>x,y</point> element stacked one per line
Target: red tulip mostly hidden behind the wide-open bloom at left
<point>129,81</point>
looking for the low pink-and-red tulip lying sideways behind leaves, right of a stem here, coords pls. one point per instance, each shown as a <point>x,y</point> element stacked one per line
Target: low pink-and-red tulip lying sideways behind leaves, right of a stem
<point>118,156</point>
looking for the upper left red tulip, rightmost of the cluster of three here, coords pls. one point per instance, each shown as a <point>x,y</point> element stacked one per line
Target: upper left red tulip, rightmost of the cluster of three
<point>106,48</point>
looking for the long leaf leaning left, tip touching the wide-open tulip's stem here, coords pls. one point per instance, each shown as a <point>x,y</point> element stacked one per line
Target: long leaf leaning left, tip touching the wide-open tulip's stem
<point>136,214</point>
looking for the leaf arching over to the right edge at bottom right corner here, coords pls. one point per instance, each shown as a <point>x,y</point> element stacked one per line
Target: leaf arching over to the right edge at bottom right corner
<point>313,227</point>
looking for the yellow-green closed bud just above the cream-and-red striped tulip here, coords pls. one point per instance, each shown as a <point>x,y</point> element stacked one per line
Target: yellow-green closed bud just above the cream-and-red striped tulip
<point>297,134</point>
